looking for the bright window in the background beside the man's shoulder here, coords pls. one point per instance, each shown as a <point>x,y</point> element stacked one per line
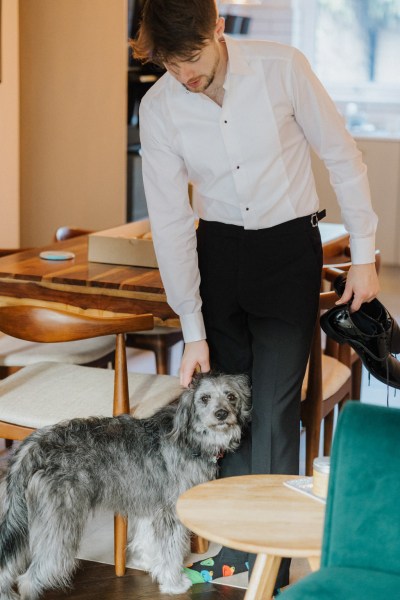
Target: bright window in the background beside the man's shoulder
<point>354,47</point>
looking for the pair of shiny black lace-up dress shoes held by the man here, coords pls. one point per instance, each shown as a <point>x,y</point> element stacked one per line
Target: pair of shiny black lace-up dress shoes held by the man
<point>370,334</point>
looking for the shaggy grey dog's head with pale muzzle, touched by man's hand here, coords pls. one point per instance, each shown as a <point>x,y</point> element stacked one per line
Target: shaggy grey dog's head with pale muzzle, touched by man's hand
<point>213,411</point>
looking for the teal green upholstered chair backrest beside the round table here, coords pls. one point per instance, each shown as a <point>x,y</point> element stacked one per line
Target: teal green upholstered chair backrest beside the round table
<point>362,523</point>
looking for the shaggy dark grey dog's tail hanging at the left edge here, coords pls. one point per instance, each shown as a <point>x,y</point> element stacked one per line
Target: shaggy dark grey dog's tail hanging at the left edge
<point>14,524</point>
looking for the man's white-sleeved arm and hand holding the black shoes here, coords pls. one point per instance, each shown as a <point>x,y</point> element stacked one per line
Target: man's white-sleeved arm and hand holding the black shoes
<point>325,130</point>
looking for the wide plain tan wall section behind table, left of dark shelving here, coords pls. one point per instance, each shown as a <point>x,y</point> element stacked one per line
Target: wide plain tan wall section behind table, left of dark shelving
<point>73,62</point>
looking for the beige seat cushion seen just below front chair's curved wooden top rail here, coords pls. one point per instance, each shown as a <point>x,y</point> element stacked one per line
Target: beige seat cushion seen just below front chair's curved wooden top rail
<point>19,353</point>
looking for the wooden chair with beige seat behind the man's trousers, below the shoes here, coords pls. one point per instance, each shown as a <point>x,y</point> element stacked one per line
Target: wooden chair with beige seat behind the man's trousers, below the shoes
<point>327,384</point>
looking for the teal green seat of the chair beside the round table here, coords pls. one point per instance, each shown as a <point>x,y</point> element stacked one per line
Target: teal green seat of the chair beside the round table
<point>336,583</point>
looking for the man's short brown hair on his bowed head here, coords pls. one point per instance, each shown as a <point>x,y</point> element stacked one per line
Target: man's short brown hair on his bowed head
<point>173,29</point>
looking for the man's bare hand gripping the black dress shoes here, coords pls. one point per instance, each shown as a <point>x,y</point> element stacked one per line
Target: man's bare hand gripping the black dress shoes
<point>362,283</point>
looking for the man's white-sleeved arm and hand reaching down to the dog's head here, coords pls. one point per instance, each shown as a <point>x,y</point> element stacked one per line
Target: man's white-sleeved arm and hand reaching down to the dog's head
<point>173,229</point>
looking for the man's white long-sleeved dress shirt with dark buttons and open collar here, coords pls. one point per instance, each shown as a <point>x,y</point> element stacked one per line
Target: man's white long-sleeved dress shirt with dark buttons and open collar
<point>249,161</point>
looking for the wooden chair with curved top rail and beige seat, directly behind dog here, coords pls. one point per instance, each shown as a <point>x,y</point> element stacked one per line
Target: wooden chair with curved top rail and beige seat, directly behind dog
<point>45,393</point>
